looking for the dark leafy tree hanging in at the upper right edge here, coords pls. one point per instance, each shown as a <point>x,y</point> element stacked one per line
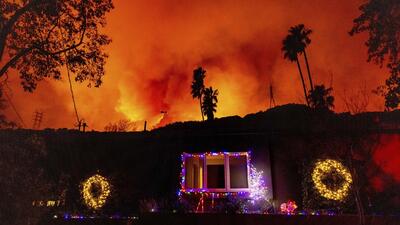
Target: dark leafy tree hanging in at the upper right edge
<point>381,19</point>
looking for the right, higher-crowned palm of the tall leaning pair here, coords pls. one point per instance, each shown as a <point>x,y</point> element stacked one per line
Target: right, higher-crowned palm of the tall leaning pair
<point>301,34</point>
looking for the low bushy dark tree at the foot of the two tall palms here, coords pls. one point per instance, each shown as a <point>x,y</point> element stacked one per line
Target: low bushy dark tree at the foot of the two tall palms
<point>320,98</point>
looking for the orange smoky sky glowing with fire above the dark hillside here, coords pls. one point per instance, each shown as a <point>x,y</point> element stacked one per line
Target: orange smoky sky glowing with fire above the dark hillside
<point>157,44</point>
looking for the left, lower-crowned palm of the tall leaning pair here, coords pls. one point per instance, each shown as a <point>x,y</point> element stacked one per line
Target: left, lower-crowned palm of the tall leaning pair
<point>290,51</point>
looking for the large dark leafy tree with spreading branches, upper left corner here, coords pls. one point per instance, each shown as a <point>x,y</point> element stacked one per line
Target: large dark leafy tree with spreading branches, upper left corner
<point>38,37</point>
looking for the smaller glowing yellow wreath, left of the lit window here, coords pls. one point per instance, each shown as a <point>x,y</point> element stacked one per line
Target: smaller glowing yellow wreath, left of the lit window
<point>98,199</point>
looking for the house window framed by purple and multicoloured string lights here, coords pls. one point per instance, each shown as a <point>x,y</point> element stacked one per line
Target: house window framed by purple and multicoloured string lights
<point>216,172</point>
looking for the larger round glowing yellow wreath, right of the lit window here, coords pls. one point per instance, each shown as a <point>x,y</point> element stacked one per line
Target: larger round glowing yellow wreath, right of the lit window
<point>321,169</point>
